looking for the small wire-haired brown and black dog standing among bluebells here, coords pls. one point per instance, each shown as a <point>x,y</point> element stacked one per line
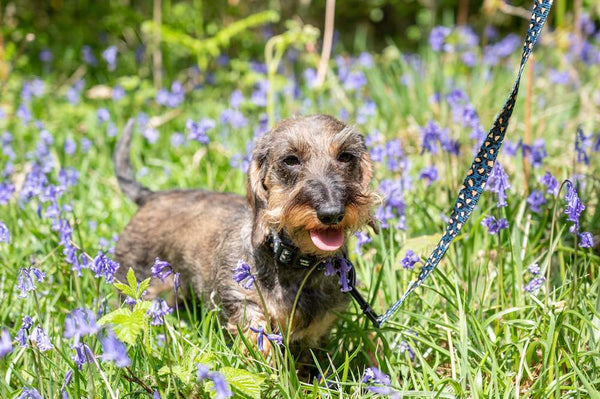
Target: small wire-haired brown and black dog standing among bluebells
<point>307,192</point>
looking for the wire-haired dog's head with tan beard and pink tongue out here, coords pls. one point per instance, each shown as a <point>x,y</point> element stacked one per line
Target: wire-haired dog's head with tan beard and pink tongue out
<point>309,177</point>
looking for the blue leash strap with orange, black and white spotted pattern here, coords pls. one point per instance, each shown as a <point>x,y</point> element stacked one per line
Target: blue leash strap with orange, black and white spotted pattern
<point>482,164</point>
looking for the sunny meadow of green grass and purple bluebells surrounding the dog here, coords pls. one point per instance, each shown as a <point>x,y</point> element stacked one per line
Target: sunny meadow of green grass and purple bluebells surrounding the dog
<point>513,310</point>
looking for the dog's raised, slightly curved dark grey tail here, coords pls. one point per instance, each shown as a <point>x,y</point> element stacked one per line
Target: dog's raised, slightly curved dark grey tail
<point>125,174</point>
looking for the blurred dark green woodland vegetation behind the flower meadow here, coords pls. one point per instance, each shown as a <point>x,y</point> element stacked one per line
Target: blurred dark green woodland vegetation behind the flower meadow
<point>65,27</point>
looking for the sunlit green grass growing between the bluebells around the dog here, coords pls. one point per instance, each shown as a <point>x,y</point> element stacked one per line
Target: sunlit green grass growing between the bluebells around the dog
<point>473,330</point>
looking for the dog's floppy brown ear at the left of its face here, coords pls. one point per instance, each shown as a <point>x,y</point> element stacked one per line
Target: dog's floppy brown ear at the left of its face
<point>257,194</point>
